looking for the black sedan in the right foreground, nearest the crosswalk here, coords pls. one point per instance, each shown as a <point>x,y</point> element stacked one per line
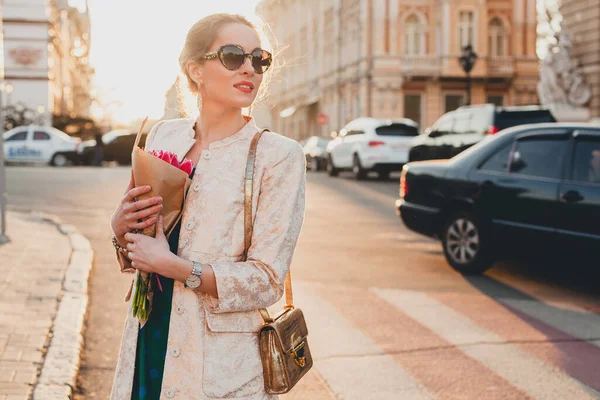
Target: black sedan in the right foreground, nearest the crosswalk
<point>534,185</point>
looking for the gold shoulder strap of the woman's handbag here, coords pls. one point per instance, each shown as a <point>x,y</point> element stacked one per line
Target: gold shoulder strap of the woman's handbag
<point>248,224</point>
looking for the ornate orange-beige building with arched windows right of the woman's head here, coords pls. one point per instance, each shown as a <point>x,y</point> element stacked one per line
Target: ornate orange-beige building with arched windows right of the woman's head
<point>395,58</point>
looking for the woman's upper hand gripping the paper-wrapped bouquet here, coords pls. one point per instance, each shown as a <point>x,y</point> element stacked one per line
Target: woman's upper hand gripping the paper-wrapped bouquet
<point>126,217</point>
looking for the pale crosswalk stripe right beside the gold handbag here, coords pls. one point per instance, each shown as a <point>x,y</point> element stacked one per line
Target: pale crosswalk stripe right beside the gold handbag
<point>351,363</point>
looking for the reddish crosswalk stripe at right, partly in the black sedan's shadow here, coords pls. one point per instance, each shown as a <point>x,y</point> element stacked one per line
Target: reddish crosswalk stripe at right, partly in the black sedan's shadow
<point>572,355</point>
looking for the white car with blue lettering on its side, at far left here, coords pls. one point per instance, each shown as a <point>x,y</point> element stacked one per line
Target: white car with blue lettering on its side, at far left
<point>40,144</point>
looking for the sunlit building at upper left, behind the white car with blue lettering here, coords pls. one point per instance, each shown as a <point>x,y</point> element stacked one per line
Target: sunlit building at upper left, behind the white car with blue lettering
<point>46,47</point>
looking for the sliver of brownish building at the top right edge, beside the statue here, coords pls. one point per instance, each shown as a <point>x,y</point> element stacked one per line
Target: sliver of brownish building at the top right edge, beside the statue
<point>581,20</point>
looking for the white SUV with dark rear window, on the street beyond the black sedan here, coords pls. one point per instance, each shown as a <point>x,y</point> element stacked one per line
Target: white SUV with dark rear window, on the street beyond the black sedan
<point>369,144</point>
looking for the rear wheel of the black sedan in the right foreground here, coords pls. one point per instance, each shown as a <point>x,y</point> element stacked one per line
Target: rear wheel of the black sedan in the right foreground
<point>467,245</point>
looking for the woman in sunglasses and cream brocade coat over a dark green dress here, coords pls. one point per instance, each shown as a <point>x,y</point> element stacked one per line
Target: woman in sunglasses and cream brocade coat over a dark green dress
<point>201,339</point>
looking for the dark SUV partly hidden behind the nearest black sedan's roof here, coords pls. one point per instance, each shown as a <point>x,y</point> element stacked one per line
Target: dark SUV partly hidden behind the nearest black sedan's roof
<point>458,130</point>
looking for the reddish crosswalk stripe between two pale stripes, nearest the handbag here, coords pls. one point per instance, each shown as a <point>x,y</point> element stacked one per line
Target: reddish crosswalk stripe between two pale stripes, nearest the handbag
<point>441,367</point>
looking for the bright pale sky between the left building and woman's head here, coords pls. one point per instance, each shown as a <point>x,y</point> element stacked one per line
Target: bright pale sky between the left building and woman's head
<point>135,46</point>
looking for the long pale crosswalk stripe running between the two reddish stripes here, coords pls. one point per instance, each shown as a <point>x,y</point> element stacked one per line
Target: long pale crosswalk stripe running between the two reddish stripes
<point>539,380</point>
